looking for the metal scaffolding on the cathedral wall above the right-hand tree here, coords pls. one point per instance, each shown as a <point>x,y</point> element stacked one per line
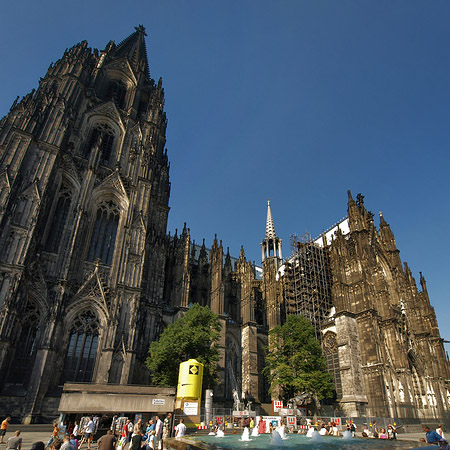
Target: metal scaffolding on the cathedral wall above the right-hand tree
<point>307,282</point>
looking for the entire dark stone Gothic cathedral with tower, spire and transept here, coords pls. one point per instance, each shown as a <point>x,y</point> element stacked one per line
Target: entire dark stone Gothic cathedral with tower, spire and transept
<point>89,276</point>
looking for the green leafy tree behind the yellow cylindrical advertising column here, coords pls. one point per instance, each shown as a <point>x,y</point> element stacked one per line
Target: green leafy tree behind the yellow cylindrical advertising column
<point>194,335</point>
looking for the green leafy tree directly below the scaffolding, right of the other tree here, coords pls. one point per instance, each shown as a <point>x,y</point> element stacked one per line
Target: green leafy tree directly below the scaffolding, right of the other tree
<point>294,362</point>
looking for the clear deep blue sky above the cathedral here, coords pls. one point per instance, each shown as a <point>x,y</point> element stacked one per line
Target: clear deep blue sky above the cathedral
<point>296,101</point>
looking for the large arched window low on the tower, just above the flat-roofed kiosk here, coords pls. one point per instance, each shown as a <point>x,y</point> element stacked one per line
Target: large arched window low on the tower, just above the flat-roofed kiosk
<point>80,357</point>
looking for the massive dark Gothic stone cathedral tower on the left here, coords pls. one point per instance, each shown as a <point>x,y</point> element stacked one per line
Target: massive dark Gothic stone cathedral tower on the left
<point>83,215</point>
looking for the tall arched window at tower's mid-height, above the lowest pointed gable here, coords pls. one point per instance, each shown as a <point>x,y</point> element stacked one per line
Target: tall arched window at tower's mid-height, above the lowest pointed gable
<point>104,234</point>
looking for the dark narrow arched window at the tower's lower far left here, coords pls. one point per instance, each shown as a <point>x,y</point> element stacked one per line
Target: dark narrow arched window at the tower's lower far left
<point>25,346</point>
